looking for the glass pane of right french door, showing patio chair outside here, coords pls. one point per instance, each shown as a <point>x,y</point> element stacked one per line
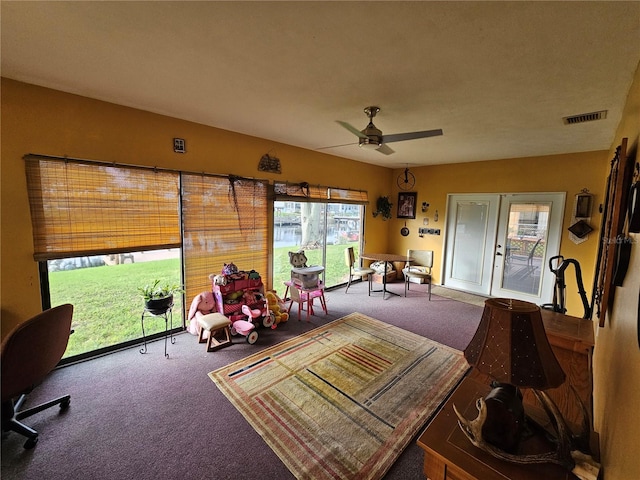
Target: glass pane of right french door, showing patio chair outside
<point>526,247</point>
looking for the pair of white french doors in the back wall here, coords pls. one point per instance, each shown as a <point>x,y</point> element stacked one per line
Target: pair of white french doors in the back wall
<point>499,245</point>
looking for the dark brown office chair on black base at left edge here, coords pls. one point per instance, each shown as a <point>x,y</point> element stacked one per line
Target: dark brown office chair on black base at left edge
<point>29,353</point>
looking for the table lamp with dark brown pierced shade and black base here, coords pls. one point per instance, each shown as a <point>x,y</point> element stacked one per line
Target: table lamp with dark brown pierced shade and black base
<point>512,348</point>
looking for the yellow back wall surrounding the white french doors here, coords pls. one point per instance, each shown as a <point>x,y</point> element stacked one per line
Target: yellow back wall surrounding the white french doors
<point>558,173</point>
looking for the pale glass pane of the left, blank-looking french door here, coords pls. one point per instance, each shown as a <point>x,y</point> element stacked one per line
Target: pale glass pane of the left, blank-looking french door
<point>469,238</point>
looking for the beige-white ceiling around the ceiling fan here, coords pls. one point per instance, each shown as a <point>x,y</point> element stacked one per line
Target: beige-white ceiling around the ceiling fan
<point>497,77</point>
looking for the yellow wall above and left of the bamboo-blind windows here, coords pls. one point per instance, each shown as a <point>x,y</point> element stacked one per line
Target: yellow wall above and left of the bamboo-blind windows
<point>49,122</point>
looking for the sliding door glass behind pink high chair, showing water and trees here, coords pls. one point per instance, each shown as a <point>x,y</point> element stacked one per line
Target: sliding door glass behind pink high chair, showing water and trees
<point>322,230</point>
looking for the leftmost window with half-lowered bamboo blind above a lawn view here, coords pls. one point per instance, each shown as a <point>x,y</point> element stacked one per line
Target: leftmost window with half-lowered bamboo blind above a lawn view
<point>89,221</point>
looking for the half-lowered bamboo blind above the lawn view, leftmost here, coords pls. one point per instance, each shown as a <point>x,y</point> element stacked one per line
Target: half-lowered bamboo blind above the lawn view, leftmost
<point>83,208</point>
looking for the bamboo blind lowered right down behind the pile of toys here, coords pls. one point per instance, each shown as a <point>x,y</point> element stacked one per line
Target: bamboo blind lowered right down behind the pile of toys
<point>225,220</point>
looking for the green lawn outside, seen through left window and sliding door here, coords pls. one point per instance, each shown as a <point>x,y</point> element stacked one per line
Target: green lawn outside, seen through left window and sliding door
<point>107,306</point>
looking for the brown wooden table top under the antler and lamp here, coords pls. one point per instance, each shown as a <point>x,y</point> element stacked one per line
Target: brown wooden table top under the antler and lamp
<point>449,455</point>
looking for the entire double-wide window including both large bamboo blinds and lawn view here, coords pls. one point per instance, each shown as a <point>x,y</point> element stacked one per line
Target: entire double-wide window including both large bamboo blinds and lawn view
<point>103,230</point>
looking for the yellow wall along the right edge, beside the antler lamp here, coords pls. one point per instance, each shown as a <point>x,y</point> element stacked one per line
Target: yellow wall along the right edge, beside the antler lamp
<point>616,362</point>
